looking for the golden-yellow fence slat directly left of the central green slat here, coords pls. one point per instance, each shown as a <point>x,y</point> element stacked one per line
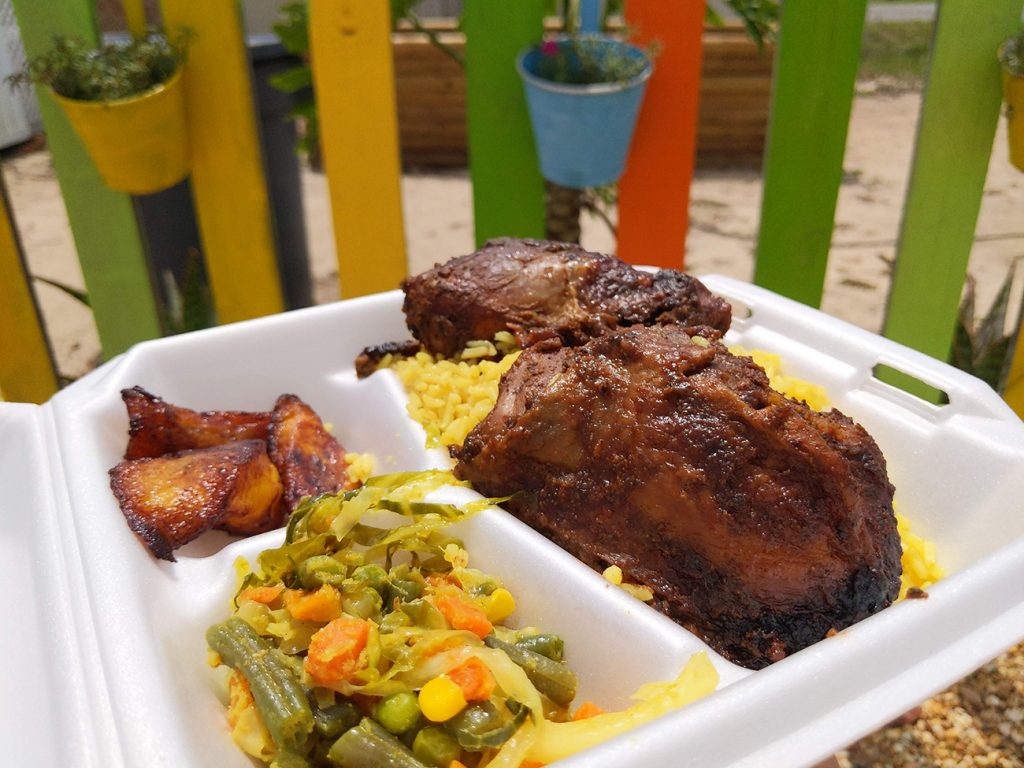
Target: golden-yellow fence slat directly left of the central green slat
<point>354,78</point>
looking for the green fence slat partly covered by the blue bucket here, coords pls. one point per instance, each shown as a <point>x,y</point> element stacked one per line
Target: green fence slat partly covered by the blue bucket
<point>508,190</point>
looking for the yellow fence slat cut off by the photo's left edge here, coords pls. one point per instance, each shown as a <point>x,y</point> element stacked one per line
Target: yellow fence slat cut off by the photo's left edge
<point>26,365</point>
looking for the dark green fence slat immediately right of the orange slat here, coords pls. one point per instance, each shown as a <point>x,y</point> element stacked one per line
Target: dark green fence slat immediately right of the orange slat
<point>816,72</point>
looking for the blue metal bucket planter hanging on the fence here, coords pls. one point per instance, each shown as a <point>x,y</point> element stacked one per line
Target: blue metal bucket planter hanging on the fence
<point>583,131</point>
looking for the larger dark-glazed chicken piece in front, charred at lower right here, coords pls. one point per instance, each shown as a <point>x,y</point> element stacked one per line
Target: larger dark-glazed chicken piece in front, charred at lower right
<point>759,525</point>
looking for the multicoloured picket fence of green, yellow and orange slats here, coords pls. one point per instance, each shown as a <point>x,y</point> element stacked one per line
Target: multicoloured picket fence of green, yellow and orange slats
<point>354,72</point>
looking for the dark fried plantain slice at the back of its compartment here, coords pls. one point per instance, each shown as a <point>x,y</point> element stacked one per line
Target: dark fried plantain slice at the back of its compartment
<point>156,428</point>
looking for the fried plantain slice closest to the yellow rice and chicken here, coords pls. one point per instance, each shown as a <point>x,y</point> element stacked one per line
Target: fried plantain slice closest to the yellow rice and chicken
<point>310,459</point>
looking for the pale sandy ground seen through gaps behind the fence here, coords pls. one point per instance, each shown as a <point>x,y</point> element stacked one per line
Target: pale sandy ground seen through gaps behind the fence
<point>726,208</point>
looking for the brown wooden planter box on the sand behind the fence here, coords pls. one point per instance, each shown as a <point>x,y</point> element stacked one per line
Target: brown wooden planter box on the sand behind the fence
<point>735,99</point>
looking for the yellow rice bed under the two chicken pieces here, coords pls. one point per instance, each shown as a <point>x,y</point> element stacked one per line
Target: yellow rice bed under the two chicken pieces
<point>449,398</point>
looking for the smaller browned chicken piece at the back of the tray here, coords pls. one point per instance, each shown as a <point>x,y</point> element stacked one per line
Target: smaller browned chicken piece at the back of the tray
<point>539,290</point>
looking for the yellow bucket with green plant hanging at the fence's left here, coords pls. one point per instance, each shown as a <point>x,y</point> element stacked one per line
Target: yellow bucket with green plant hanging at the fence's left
<point>126,103</point>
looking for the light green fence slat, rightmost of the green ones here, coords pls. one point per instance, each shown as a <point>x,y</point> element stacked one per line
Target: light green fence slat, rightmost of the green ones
<point>958,124</point>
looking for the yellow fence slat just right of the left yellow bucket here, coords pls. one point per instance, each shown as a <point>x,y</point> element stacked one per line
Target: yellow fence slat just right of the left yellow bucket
<point>229,184</point>
